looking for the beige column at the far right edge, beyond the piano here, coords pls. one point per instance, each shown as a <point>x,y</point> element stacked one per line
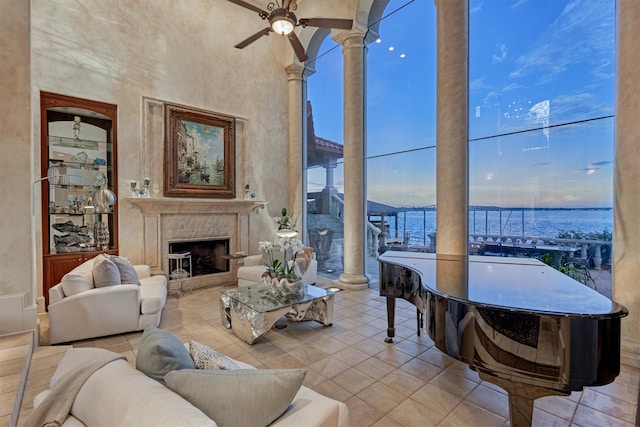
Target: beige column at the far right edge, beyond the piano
<point>626,223</point>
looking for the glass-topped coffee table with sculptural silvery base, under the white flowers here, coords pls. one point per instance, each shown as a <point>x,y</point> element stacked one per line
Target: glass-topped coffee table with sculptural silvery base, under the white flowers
<point>251,311</point>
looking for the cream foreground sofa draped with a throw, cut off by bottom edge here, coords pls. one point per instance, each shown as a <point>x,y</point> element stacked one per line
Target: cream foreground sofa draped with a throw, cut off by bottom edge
<point>119,395</point>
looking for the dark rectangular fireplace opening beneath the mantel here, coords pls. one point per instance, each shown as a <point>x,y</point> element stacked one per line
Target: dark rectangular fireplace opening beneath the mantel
<point>206,256</point>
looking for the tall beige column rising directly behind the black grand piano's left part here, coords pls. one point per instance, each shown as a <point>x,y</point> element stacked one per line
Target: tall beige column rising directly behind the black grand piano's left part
<point>452,129</point>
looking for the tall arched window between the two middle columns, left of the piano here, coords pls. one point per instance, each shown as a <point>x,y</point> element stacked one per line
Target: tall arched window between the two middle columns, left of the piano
<point>401,129</point>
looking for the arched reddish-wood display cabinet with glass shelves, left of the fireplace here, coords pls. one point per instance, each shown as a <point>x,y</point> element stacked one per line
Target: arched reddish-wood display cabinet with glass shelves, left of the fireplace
<point>79,176</point>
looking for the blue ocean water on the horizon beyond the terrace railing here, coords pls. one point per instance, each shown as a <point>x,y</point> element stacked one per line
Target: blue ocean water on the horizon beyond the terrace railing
<point>532,223</point>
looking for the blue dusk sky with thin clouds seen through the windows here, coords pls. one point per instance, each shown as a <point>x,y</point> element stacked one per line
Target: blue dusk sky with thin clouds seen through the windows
<point>534,65</point>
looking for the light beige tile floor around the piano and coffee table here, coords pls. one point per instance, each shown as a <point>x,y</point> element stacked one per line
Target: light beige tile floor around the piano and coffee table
<point>408,383</point>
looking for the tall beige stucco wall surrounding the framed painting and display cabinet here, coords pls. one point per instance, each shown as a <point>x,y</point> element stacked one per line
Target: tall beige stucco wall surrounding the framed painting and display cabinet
<point>121,52</point>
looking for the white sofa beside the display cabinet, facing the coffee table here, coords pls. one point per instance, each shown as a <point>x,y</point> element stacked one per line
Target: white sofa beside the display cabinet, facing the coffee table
<point>79,310</point>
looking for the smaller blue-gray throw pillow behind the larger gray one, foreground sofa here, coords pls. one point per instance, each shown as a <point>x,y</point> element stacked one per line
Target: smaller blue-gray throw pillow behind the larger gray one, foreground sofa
<point>160,352</point>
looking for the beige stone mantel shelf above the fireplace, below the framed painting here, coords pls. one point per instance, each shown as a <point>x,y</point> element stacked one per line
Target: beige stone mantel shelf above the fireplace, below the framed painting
<point>167,206</point>
